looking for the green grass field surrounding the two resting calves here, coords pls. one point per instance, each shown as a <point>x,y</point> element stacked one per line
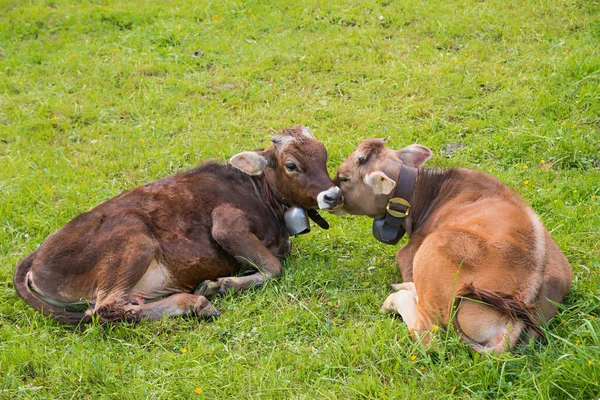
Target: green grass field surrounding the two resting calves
<point>97,97</point>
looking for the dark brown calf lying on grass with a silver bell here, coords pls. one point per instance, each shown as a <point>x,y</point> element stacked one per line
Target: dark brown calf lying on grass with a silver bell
<point>167,237</point>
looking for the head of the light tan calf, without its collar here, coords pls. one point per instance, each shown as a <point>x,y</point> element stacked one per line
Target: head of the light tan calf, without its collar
<point>368,176</point>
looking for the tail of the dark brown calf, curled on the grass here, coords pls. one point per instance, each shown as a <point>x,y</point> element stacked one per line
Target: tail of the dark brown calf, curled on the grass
<point>23,288</point>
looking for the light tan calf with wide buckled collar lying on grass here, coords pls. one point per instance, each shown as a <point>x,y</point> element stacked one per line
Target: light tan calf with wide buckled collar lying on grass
<point>473,244</point>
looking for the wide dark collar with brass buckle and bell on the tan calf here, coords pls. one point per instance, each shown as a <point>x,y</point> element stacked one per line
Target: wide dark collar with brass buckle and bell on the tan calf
<point>393,226</point>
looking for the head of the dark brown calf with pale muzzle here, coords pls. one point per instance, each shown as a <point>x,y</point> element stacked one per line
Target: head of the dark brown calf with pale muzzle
<point>295,166</point>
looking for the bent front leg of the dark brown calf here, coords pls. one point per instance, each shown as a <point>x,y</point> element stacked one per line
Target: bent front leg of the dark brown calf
<point>232,232</point>
